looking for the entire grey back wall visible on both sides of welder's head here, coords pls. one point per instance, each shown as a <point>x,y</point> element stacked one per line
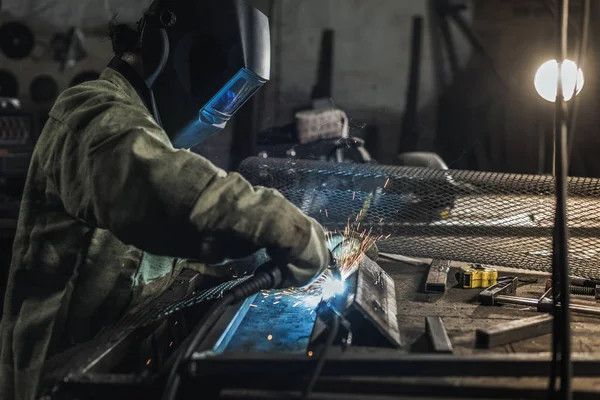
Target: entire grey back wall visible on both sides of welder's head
<point>371,65</point>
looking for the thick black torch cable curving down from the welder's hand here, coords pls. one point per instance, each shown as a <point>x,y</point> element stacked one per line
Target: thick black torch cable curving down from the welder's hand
<point>268,276</point>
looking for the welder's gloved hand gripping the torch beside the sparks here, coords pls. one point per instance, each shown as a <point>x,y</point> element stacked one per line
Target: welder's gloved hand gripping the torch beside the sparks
<point>312,261</point>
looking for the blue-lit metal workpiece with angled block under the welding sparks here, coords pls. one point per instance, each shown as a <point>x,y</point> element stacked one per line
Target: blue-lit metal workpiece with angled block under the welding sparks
<point>286,321</point>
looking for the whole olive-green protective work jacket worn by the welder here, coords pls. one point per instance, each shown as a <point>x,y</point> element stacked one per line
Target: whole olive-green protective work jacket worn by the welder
<point>107,206</point>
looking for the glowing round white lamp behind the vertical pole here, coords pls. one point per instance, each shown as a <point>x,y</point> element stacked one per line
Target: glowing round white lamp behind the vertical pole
<point>546,80</point>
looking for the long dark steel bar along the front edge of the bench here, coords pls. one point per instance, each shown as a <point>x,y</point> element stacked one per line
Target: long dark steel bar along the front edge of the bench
<point>386,364</point>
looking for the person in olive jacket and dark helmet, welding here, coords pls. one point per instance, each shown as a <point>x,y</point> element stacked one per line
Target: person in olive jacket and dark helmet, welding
<point>115,199</point>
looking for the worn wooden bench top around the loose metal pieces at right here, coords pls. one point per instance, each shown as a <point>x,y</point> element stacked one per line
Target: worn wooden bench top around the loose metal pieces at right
<point>462,315</point>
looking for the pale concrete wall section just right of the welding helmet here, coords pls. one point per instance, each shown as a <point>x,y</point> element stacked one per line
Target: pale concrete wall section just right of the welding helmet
<point>371,63</point>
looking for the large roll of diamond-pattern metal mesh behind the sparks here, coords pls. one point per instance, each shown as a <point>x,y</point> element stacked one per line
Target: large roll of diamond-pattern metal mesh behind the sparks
<point>489,218</point>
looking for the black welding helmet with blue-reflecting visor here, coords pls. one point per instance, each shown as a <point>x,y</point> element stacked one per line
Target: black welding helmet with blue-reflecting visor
<point>202,61</point>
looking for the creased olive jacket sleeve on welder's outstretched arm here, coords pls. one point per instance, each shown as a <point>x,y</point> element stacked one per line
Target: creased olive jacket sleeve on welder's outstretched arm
<point>121,173</point>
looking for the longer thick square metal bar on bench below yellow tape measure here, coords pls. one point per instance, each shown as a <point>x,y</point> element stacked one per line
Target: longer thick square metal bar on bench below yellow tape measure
<point>513,331</point>
